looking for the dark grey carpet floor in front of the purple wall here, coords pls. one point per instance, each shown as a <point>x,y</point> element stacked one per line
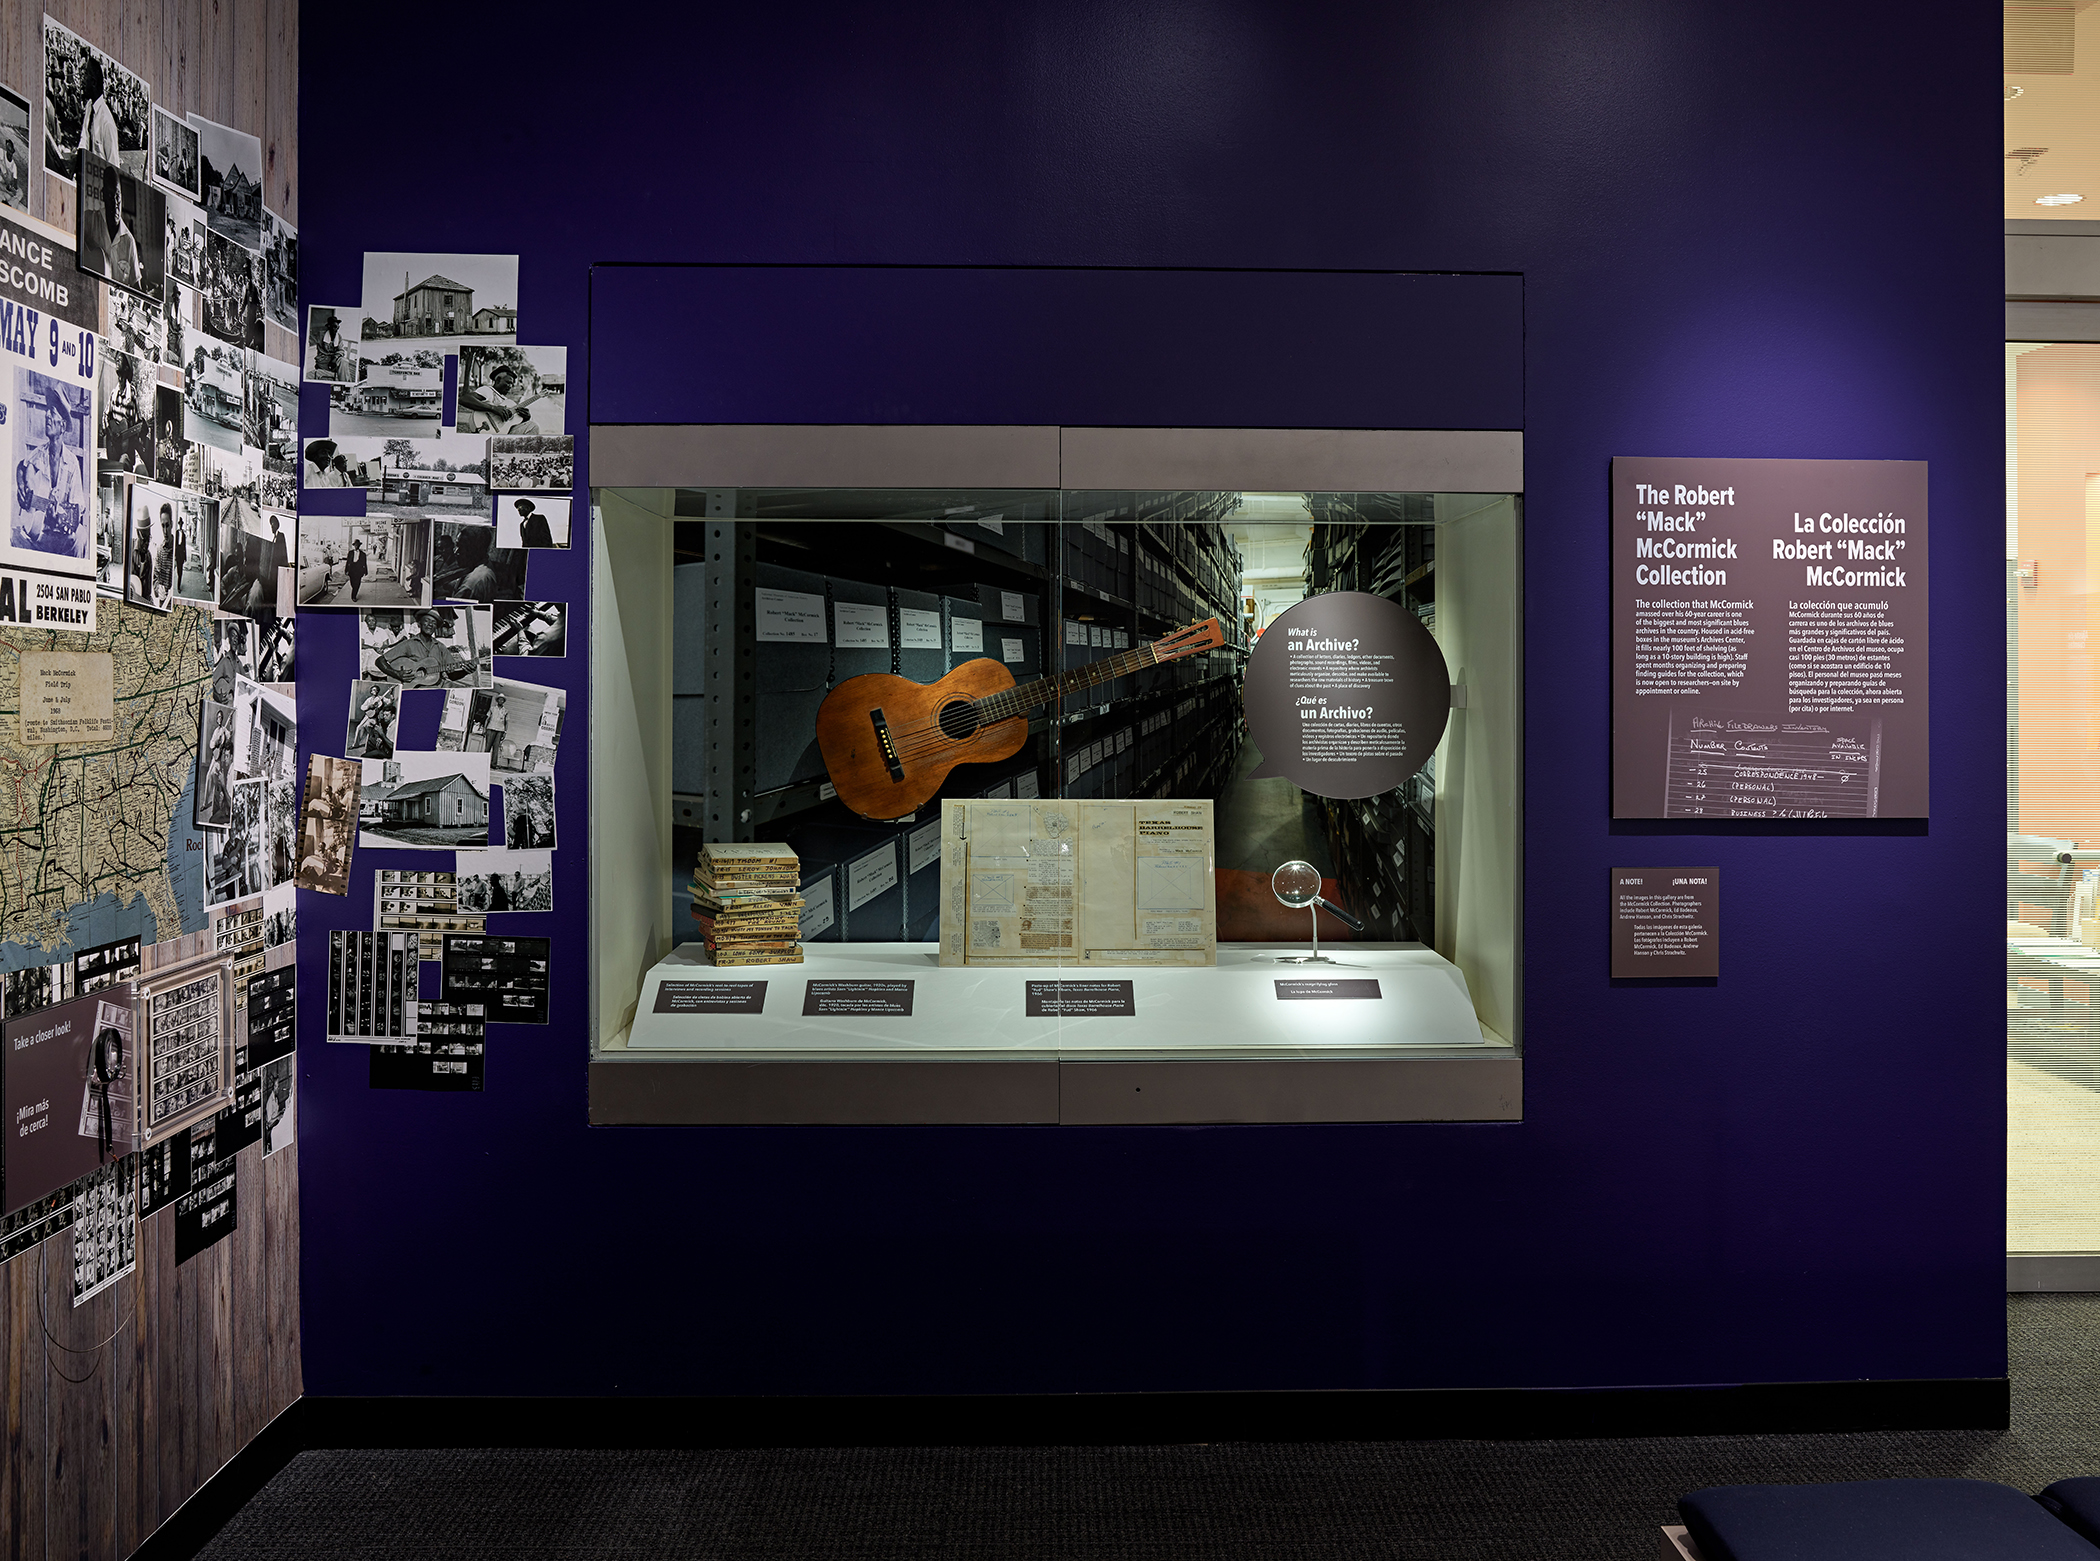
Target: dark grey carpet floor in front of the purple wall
<point>1431,1501</point>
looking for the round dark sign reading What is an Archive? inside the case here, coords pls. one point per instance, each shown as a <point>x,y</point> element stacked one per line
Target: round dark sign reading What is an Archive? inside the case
<point>1347,694</point>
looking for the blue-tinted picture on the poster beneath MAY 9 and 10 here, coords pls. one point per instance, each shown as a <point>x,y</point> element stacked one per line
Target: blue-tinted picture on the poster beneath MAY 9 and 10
<point>54,444</point>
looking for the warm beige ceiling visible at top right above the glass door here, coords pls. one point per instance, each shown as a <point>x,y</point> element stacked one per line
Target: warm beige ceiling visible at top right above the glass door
<point>2053,56</point>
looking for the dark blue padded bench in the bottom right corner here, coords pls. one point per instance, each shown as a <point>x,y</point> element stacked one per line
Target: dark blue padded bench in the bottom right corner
<point>1891,1520</point>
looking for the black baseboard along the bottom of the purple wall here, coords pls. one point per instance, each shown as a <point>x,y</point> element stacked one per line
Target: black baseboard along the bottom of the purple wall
<point>1125,1419</point>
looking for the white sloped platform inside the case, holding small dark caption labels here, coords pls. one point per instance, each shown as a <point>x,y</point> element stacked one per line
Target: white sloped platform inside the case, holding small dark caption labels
<point>1230,1012</point>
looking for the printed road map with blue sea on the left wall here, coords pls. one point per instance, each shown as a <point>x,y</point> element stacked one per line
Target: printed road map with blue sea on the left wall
<point>96,839</point>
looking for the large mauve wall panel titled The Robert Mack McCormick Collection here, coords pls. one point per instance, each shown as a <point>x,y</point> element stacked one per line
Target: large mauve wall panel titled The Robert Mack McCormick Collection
<point>1769,640</point>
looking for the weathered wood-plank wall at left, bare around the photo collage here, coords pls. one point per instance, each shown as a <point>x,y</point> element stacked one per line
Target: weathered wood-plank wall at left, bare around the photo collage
<point>205,1354</point>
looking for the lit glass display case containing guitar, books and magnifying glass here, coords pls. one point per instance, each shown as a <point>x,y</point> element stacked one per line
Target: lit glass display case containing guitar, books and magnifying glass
<point>967,806</point>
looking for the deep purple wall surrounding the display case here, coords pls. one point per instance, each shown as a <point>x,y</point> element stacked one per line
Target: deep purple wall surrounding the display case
<point>1748,232</point>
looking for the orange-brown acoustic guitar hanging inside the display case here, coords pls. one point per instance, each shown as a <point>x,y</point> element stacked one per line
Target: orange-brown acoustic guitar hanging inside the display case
<point>889,743</point>
